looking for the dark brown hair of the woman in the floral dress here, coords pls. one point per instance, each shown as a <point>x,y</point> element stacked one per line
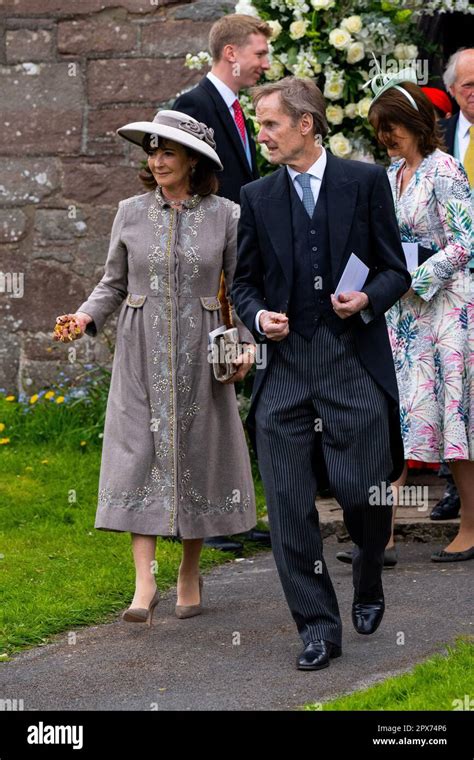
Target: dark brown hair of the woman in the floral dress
<point>393,109</point>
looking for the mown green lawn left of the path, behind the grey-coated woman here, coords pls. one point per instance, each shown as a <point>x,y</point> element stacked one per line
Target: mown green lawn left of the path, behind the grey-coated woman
<point>57,571</point>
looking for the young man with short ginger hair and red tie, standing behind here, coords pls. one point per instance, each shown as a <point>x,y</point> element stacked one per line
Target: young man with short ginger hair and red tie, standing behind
<point>239,50</point>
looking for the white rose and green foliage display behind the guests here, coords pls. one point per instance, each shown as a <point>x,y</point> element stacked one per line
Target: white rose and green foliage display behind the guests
<point>334,42</point>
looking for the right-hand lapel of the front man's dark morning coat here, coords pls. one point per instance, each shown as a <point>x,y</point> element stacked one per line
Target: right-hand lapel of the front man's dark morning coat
<point>341,196</point>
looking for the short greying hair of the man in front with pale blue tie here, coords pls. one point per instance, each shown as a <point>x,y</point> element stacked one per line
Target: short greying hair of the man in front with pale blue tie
<point>299,95</point>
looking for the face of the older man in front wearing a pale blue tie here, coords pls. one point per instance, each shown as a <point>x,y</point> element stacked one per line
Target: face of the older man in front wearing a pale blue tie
<point>283,138</point>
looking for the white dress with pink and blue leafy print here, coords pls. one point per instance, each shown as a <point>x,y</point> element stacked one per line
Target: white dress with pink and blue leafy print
<point>431,330</point>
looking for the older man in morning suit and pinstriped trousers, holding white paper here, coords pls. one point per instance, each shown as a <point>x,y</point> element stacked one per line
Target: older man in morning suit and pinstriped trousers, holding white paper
<point>329,362</point>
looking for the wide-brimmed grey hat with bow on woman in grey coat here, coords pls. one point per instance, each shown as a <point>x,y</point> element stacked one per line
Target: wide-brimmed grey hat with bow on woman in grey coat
<point>176,126</point>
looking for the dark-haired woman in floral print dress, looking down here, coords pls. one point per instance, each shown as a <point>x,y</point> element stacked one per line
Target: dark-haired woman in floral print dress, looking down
<point>431,327</point>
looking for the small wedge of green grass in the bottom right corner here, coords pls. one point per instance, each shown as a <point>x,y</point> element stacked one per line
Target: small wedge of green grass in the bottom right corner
<point>431,685</point>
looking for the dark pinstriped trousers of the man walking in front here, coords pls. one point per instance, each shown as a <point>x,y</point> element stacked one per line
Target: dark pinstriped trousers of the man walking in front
<point>322,381</point>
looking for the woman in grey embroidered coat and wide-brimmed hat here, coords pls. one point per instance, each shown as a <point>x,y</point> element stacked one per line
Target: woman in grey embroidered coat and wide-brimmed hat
<point>175,460</point>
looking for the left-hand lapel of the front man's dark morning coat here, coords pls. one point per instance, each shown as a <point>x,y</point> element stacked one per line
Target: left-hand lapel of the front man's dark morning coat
<point>276,215</point>
